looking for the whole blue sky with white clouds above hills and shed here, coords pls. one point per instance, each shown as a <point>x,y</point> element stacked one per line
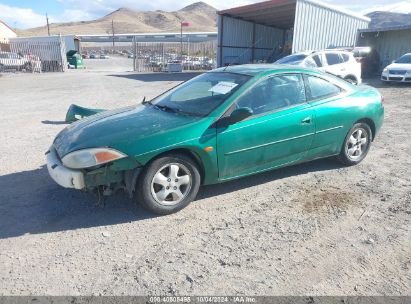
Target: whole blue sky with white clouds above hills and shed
<point>31,13</point>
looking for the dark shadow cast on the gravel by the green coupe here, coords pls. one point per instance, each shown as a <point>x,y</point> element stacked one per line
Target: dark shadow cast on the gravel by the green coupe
<point>31,203</point>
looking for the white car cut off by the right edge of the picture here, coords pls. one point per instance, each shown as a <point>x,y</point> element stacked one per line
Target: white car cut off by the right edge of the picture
<point>399,70</point>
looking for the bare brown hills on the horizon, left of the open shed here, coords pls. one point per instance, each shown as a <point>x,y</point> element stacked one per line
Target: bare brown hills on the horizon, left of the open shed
<point>202,16</point>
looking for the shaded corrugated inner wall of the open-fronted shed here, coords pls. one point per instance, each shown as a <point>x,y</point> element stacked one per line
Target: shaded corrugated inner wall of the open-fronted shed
<point>242,42</point>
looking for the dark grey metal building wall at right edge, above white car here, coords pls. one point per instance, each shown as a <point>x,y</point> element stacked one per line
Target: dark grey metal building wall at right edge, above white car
<point>390,45</point>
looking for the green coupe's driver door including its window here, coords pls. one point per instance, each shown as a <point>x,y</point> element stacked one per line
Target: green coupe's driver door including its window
<point>279,132</point>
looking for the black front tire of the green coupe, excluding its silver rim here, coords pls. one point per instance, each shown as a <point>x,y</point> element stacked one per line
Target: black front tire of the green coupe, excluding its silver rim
<point>143,189</point>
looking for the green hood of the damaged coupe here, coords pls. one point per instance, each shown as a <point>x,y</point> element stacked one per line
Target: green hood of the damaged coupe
<point>118,129</point>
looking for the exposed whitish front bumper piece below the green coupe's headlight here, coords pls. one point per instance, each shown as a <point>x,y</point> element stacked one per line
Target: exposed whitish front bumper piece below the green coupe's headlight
<point>65,177</point>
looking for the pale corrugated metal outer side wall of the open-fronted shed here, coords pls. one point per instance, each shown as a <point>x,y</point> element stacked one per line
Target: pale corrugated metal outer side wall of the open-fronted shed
<point>318,27</point>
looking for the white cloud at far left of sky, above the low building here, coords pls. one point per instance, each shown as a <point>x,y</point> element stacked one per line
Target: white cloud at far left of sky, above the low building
<point>21,17</point>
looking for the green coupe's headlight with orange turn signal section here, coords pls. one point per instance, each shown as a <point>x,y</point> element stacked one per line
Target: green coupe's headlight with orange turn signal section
<point>87,158</point>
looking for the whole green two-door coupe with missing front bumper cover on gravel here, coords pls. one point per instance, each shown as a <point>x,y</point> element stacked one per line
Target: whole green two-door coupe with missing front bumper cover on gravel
<point>222,125</point>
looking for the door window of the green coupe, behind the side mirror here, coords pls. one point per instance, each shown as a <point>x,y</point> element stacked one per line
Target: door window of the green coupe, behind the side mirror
<point>274,93</point>
